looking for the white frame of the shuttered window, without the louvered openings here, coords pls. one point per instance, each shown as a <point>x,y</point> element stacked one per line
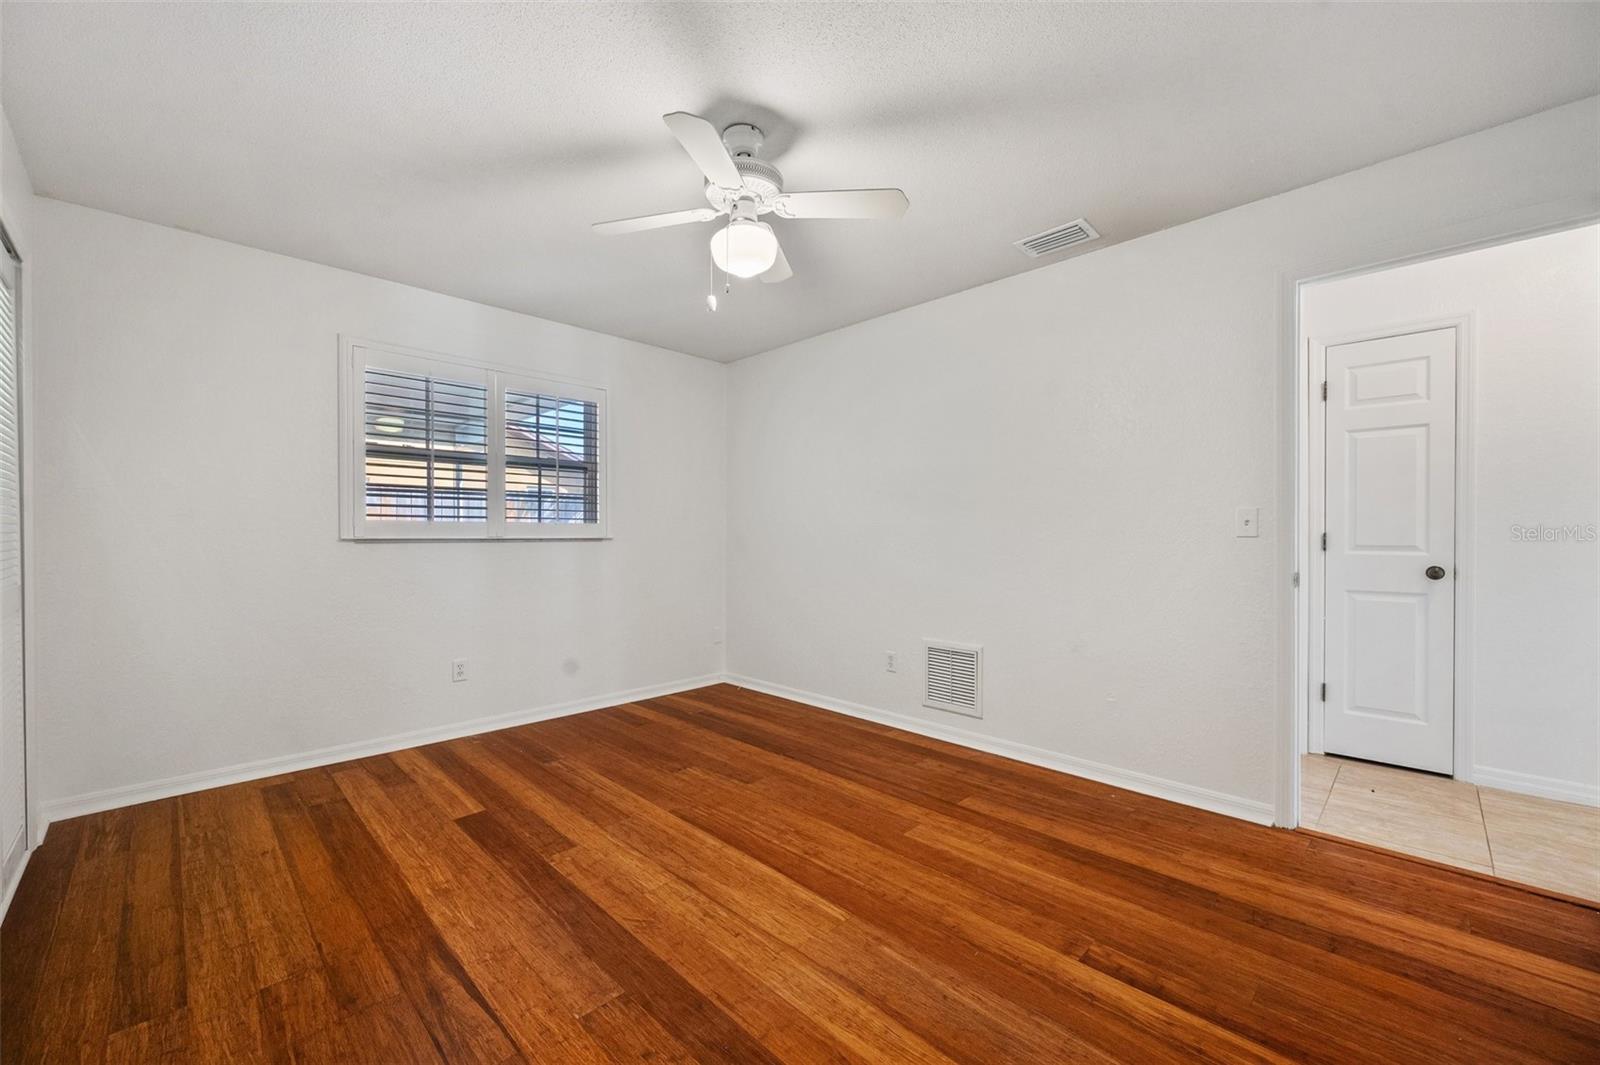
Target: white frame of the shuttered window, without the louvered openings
<point>358,354</point>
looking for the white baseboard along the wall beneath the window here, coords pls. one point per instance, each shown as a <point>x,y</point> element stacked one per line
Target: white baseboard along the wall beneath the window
<point>135,794</point>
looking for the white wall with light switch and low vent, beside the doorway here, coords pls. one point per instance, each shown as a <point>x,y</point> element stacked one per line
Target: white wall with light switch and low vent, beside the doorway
<point>1050,465</point>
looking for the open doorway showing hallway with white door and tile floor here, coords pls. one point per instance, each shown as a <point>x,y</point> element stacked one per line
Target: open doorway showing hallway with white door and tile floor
<point>1454,708</point>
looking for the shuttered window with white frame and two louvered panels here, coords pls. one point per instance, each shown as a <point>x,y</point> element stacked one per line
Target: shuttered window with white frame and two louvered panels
<point>438,449</point>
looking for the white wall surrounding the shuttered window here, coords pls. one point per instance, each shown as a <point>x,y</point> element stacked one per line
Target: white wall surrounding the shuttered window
<point>196,608</point>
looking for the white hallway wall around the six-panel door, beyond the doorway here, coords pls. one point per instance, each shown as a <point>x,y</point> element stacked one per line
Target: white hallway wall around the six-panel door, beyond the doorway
<point>1534,687</point>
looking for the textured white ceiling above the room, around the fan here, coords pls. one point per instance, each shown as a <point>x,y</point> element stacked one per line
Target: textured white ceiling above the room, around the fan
<point>468,148</point>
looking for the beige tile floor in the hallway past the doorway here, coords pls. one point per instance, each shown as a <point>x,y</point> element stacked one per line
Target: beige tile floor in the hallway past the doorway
<point>1518,837</point>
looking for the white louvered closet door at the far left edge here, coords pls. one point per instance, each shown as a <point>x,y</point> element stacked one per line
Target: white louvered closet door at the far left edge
<point>14,796</point>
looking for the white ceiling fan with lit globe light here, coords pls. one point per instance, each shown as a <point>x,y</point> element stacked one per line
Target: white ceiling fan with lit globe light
<point>745,188</point>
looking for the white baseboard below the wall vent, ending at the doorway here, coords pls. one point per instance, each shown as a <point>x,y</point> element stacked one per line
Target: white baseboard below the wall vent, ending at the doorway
<point>1190,796</point>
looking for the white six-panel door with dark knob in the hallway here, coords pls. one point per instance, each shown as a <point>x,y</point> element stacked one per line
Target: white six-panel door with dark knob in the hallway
<point>1391,556</point>
